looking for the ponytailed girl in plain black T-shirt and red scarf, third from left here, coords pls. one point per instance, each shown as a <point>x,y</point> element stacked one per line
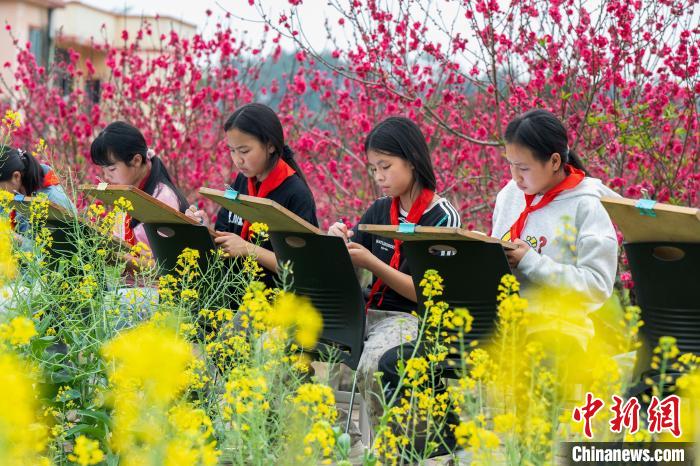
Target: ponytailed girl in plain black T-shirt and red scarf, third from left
<point>266,168</point>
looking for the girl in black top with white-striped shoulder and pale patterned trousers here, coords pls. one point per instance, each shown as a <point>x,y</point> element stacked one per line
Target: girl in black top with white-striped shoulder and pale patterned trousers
<point>399,159</point>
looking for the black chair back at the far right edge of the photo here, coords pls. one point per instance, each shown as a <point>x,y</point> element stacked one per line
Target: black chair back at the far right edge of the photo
<point>666,278</point>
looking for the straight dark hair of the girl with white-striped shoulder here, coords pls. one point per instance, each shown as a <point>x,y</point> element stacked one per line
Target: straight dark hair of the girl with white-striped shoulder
<point>401,137</point>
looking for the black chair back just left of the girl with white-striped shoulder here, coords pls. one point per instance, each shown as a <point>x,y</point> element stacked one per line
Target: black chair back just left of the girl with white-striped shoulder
<point>323,272</point>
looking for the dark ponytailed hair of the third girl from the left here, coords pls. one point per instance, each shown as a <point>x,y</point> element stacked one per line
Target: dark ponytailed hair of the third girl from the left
<point>261,122</point>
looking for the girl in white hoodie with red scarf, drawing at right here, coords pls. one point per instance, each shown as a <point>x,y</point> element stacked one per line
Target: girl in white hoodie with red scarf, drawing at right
<point>551,209</point>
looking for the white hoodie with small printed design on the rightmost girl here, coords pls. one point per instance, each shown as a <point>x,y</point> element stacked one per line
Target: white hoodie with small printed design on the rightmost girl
<point>574,245</point>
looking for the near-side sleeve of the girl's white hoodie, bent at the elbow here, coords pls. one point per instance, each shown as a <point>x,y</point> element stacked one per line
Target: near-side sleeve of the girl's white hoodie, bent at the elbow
<point>594,272</point>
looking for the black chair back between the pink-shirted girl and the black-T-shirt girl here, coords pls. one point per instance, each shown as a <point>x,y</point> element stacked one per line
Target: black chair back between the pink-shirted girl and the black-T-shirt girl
<point>167,241</point>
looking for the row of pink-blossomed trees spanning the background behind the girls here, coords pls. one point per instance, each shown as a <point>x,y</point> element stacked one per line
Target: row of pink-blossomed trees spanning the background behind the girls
<point>622,75</point>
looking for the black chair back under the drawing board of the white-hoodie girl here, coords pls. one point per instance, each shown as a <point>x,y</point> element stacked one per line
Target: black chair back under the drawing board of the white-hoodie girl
<point>471,272</point>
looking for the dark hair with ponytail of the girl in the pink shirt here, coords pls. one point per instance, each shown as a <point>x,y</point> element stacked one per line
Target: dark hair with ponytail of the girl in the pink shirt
<point>120,141</point>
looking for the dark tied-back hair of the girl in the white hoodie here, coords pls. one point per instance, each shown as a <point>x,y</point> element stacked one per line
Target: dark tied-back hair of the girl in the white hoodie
<point>544,134</point>
